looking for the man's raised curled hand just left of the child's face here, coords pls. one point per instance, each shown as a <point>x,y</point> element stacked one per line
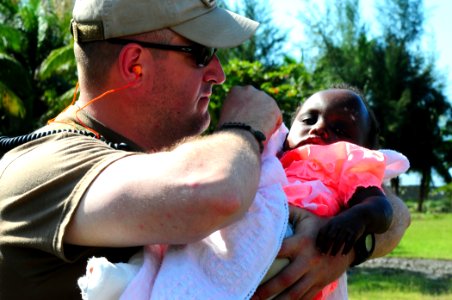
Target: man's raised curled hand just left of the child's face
<point>252,107</point>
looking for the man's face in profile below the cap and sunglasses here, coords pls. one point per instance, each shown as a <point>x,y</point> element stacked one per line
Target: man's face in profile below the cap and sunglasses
<point>180,93</point>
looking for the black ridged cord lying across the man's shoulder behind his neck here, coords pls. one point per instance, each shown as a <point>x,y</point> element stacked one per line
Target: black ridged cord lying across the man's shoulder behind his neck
<point>8,143</point>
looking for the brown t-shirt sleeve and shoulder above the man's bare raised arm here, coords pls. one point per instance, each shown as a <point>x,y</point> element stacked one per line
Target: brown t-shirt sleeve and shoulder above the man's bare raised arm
<point>42,183</point>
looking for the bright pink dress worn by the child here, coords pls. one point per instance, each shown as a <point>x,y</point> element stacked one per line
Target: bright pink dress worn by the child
<point>322,178</point>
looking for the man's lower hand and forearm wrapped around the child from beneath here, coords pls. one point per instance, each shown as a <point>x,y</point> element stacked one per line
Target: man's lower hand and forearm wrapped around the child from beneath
<point>309,271</point>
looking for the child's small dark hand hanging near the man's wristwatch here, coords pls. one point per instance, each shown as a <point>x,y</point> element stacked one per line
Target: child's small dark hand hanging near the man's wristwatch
<point>341,232</point>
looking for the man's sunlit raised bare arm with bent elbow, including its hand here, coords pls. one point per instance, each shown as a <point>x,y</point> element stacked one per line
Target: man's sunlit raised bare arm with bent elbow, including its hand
<point>182,195</point>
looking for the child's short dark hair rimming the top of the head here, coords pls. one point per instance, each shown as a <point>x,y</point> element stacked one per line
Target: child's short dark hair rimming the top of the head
<point>374,128</point>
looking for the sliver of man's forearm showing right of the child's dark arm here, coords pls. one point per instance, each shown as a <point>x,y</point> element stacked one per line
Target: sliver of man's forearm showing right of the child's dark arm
<point>387,241</point>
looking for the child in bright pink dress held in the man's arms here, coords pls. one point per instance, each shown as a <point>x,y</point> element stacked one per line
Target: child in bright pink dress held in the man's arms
<point>331,174</point>
